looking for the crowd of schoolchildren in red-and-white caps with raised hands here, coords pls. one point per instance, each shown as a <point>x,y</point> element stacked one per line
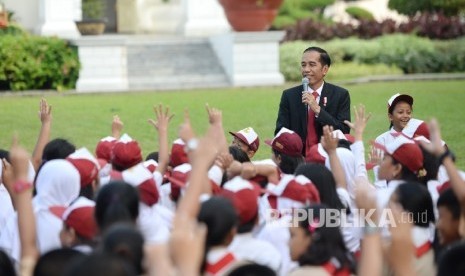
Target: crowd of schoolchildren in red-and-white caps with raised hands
<point>203,206</point>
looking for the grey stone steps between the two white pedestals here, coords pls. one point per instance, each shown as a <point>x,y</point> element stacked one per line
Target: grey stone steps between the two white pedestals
<point>192,64</point>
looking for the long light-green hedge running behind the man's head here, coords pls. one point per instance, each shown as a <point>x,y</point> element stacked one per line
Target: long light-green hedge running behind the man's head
<point>398,53</point>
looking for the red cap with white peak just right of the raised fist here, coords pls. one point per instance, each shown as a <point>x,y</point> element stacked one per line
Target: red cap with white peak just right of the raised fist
<point>126,152</point>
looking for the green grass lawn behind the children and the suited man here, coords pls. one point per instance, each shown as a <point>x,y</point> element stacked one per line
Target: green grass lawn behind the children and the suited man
<point>85,118</point>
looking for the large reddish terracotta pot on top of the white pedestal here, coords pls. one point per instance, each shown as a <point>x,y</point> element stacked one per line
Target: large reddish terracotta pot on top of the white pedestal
<point>250,15</point>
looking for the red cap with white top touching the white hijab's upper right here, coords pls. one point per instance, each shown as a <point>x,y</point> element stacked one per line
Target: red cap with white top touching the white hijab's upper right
<point>86,164</point>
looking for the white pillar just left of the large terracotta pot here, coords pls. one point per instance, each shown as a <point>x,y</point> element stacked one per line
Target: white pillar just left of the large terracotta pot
<point>204,18</point>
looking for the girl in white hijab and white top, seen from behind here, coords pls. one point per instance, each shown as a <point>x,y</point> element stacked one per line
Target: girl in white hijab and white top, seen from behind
<point>57,184</point>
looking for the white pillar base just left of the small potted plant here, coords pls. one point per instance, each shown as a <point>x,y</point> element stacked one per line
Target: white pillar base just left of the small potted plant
<point>56,17</point>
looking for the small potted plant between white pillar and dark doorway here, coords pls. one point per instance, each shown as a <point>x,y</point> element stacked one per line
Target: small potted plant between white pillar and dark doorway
<point>92,22</point>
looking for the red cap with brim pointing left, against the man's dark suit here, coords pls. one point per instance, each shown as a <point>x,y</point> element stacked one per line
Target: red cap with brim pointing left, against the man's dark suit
<point>286,141</point>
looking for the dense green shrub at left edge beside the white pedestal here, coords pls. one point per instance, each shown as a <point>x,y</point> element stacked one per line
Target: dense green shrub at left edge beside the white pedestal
<point>31,62</point>
